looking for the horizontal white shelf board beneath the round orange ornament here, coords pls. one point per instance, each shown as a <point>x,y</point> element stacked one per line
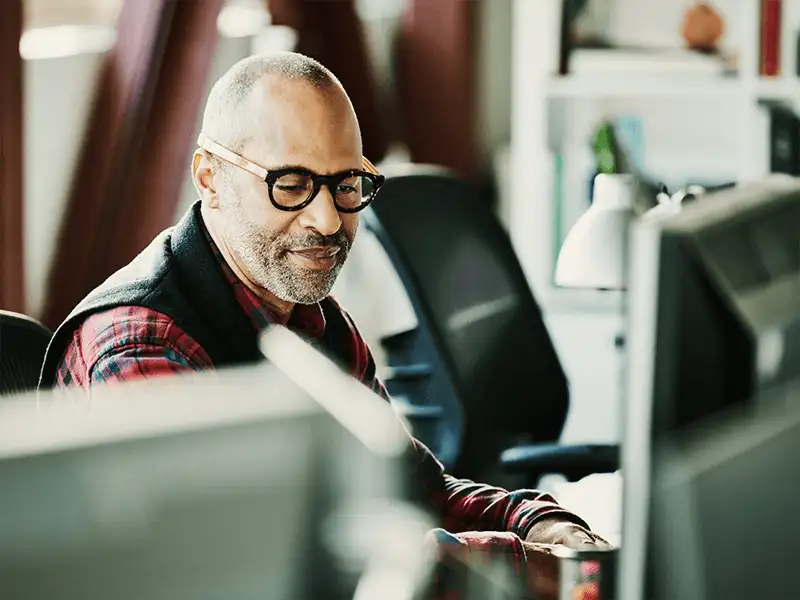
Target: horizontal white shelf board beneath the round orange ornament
<point>597,86</point>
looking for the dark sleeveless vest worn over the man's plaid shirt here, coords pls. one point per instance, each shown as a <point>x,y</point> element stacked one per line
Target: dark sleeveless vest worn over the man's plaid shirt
<point>179,276</point>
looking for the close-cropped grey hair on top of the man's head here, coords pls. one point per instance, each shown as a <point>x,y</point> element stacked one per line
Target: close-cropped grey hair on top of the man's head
<point>240,100</point>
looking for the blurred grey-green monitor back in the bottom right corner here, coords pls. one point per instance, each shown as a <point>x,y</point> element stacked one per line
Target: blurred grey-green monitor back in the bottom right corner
<point>724,507</point>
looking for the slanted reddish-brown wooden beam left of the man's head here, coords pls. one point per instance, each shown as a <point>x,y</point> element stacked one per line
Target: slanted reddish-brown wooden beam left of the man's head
<point>135,155</point>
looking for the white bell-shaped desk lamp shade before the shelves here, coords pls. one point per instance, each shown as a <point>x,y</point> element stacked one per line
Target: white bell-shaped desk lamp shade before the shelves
<point>594,253</point>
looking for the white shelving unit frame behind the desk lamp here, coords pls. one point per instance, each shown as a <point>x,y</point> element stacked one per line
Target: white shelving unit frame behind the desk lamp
<point>535,89</point>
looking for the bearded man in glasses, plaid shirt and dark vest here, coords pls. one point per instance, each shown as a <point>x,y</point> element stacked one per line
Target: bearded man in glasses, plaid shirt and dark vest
<point>281,179</point>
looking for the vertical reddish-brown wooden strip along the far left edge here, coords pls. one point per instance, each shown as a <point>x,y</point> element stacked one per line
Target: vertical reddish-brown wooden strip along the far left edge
<point>12,291</point>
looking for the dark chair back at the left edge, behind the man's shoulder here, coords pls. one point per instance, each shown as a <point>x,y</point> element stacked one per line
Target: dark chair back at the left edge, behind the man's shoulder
<point>23,342</point>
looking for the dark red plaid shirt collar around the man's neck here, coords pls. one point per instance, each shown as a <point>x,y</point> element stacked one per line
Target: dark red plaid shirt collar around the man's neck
<point>306,319</point>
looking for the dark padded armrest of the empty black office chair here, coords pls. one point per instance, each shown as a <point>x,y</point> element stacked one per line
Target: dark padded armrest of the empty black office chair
<point>572,461</point>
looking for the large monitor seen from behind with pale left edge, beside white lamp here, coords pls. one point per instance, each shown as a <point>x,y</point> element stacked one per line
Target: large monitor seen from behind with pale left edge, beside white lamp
<point>714,326</point>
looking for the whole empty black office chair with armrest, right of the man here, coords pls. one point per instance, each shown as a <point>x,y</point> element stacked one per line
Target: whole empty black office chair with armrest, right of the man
<point>481,343</point>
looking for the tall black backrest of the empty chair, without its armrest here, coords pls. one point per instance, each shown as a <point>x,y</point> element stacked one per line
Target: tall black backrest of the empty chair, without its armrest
<point>470,294</point>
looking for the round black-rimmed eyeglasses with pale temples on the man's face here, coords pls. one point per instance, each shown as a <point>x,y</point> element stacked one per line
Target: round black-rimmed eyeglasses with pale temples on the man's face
<point>294,188</point>
